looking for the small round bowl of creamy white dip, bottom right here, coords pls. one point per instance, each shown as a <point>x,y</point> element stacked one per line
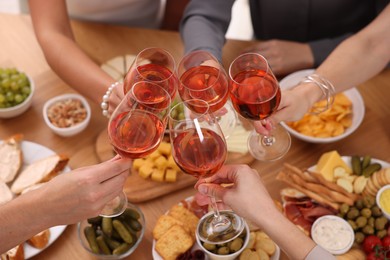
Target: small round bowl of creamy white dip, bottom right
<point>333,233</point>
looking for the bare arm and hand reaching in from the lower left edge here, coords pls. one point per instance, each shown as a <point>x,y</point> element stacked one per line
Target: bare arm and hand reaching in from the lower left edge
<point>66,199</point>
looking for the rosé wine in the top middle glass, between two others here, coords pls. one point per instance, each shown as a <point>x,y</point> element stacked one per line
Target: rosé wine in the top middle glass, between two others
<point>205,83</point>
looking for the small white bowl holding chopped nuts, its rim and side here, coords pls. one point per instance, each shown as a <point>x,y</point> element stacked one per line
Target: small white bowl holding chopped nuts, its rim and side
<point>72,130</point>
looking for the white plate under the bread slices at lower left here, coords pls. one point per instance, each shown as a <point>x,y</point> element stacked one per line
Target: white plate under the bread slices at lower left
<point>32,152</point>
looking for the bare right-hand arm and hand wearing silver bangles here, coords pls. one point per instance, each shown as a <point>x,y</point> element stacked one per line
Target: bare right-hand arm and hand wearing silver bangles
<point>354,61</point>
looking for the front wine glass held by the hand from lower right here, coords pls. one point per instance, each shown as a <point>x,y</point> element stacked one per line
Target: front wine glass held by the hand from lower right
<point>199,149</point>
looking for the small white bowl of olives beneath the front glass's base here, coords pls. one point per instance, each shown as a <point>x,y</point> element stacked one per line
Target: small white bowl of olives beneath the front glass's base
<point>226,251</point>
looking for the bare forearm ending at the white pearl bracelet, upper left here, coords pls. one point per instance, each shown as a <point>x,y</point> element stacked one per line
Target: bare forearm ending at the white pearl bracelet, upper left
<point>73,66</point>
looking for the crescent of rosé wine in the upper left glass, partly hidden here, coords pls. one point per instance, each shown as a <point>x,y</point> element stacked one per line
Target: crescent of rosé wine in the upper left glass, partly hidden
<point>154,73</point>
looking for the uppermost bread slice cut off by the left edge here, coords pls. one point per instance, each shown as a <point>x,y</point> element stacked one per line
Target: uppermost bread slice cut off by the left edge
<point>11,158</point>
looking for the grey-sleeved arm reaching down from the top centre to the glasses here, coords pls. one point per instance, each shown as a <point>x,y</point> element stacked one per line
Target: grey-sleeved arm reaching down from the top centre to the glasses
<point>204,25</point>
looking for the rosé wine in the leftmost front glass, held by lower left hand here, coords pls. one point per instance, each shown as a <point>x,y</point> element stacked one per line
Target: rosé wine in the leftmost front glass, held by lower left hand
<point>135,134</point>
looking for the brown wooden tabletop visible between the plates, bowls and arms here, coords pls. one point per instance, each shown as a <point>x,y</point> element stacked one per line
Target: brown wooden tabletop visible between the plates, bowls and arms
<point>18,47</point>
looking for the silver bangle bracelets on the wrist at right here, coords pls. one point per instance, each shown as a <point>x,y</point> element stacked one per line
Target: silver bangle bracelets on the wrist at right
<point>327,89</point>
